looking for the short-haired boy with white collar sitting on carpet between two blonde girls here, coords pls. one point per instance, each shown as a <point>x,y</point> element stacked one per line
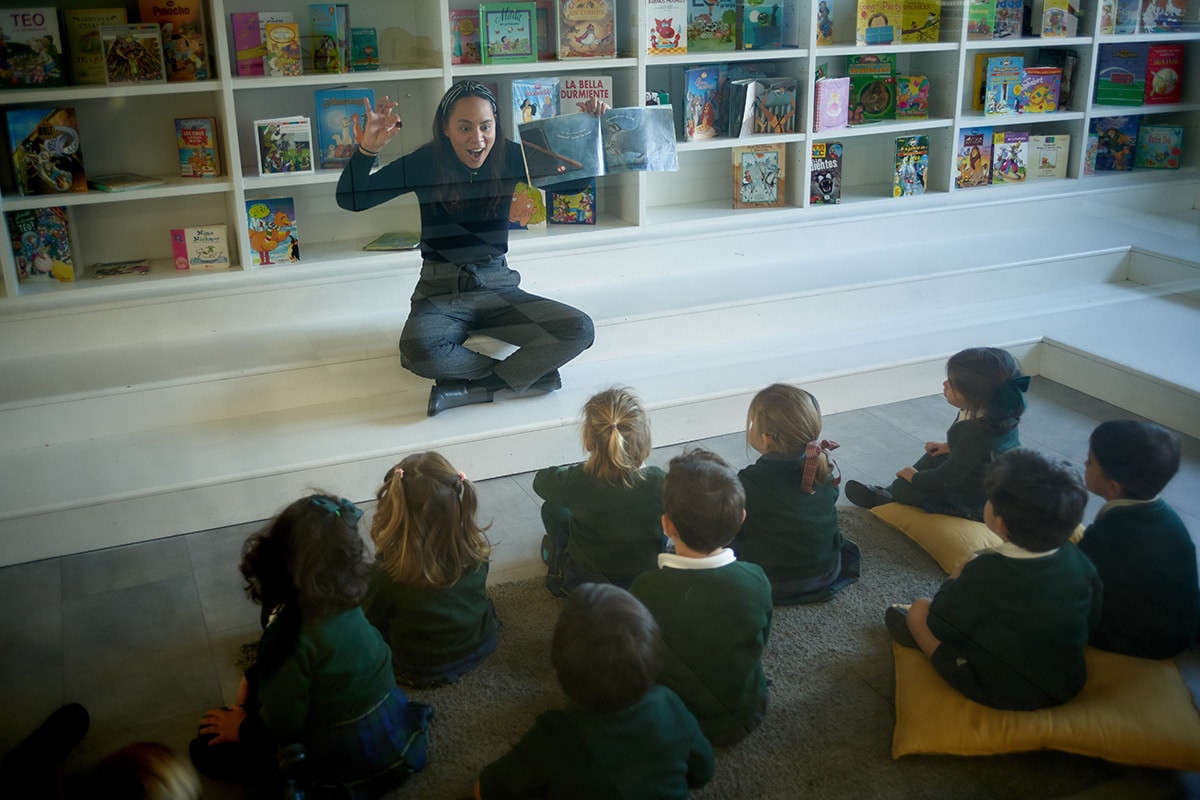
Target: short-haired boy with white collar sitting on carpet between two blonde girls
<point>713,610</point>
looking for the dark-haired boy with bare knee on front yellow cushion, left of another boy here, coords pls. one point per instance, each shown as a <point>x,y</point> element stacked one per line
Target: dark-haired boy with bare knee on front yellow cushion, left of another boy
<point>1009,628</point>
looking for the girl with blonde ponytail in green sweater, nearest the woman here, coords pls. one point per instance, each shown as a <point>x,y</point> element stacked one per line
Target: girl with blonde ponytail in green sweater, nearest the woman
<point>603,518</point>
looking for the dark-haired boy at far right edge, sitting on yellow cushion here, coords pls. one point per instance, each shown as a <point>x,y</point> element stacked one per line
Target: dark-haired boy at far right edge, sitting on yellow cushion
<point>1139,545</point>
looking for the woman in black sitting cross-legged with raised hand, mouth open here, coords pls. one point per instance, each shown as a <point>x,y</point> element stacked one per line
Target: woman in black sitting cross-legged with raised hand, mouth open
<point>464,181</point>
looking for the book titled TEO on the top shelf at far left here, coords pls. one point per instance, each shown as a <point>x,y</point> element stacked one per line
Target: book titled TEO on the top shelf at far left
<point>33,50</point>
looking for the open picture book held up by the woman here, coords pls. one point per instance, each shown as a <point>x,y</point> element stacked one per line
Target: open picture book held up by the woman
<point>574,147</point>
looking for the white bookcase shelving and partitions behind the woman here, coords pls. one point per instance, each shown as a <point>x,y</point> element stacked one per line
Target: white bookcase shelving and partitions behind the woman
<point>130,129</point>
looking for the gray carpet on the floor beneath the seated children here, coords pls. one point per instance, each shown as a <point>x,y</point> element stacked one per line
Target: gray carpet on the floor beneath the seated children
<point>829,729</point>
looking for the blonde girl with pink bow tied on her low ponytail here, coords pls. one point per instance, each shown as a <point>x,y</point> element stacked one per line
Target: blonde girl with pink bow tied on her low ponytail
<point>791,526</point>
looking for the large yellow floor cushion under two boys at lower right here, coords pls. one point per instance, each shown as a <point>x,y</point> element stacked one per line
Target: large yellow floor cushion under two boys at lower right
<point>1132,712</point>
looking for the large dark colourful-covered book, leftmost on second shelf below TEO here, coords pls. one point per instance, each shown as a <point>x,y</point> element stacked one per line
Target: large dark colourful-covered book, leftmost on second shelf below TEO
<point>47,157</point>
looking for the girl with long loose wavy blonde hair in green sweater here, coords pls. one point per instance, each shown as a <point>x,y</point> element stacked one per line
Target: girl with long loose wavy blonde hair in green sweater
<point>429,593</point>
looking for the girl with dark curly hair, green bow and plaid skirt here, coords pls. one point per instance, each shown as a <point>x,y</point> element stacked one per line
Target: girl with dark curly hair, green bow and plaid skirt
<point>323,675</point>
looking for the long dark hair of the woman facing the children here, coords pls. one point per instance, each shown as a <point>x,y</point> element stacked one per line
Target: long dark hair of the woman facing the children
<point>453,193</point>
